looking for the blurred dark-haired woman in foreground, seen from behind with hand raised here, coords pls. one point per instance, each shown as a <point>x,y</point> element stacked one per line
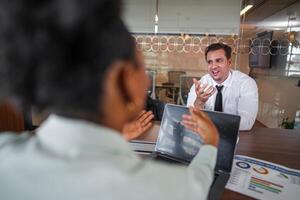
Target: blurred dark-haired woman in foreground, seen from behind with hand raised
<point>76,60</point>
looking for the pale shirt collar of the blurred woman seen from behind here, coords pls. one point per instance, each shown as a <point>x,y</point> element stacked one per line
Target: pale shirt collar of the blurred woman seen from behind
<point>73,137</point>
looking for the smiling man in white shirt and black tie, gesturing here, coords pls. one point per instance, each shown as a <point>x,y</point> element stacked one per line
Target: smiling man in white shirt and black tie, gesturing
<point>224,89</point>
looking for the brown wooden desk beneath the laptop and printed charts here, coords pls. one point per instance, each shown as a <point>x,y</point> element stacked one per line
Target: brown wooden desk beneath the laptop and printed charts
<point>280,146</point>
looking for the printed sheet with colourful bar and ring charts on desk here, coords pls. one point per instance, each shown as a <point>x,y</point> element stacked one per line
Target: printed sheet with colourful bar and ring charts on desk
<point>263,180</point>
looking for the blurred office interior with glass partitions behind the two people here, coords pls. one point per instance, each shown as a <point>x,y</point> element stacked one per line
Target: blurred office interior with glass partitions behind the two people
<point>173,35</point>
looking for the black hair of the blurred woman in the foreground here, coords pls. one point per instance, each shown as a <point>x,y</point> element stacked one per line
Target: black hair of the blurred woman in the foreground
<point>54,53</point>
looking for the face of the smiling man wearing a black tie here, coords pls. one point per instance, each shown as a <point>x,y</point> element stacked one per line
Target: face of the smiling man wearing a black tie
<point>218,65</point>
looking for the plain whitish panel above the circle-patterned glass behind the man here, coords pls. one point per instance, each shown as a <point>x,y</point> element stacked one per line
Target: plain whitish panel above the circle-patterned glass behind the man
<point>189,16</point>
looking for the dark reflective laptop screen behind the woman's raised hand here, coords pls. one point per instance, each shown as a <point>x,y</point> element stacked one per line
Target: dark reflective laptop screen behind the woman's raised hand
<point>179,143</point>
